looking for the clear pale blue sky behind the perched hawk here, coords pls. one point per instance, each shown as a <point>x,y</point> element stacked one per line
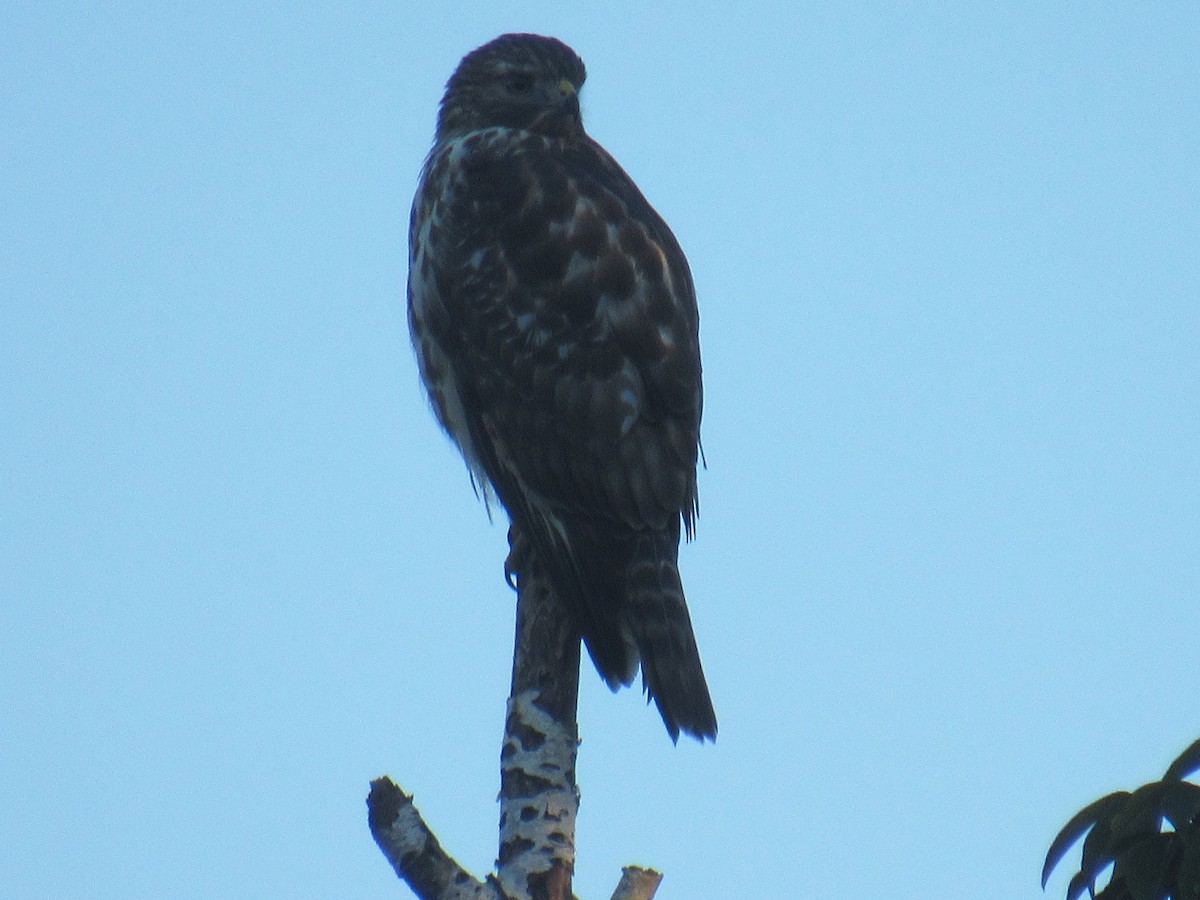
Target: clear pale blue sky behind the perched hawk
<point>949,565</point>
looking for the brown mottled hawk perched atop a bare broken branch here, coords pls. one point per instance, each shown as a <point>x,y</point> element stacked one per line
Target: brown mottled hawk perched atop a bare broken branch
<point>556,331</point>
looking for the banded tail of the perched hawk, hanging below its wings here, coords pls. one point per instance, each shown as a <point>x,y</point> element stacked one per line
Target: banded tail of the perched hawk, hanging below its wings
<point>659,625</point>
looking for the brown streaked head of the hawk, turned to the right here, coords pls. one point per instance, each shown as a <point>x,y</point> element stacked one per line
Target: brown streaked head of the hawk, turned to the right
<point>517,82</point>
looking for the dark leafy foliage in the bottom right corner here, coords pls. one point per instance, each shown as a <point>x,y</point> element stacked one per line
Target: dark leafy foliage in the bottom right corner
<point>1150,838</point>
